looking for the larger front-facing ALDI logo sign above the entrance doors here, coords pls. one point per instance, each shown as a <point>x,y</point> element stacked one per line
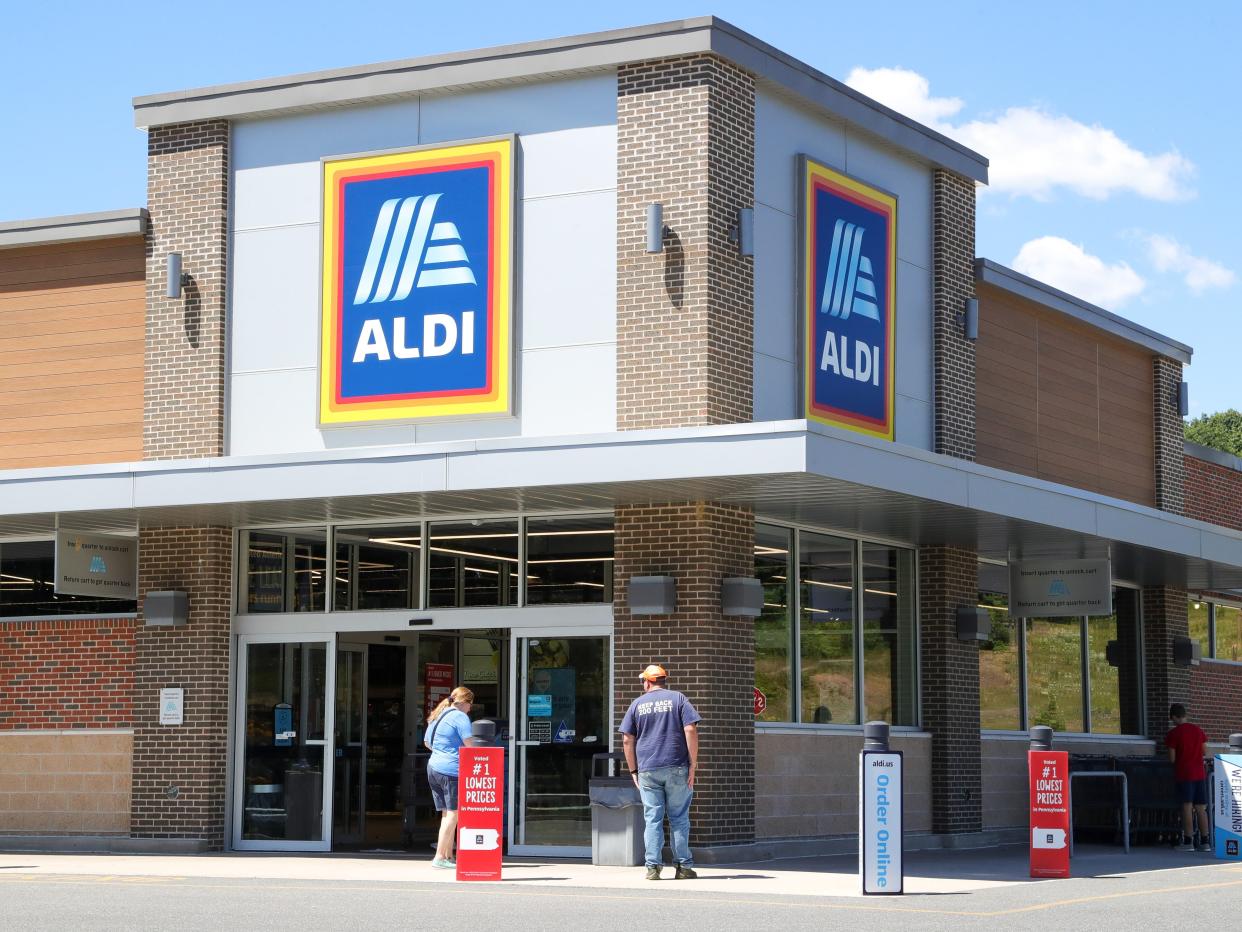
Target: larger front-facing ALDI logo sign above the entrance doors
<point>417,290</point>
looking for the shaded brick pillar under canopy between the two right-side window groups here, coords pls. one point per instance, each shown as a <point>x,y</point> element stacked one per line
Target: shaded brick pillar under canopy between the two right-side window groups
<point>948,578</point>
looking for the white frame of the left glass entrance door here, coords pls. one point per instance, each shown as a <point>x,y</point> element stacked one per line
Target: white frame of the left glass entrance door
<point>239,791</point>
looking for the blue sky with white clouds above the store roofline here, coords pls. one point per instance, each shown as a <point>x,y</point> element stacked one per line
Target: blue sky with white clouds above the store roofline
<point>1113,127</point>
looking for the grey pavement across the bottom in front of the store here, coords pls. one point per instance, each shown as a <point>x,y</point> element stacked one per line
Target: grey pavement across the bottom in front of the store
<point>943,890</point>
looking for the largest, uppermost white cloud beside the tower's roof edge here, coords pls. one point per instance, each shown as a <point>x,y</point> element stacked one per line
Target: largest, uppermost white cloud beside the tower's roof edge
<point>1034,152</point>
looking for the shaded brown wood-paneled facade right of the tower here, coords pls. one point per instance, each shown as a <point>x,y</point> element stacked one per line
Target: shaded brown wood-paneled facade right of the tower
<point>1063,402</point>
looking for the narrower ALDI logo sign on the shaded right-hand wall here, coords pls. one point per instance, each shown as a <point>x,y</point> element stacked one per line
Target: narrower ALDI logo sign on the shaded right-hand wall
<point>849,272</point>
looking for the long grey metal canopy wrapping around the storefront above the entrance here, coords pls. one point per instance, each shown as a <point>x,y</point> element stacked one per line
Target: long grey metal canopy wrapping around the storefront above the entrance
<point>787,472</point>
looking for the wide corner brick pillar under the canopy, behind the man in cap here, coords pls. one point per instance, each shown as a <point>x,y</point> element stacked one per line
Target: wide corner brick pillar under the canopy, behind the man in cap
<point>709,657</point>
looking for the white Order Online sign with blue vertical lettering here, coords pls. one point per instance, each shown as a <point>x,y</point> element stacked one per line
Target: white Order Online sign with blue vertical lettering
<point>880,822</point>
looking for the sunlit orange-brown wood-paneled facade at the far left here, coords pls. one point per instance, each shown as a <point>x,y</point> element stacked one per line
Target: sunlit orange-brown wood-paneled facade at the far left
<point>73,340</point>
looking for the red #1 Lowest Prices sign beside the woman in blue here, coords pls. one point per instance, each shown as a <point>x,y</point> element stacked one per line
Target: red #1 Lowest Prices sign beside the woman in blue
<point>480,813</point>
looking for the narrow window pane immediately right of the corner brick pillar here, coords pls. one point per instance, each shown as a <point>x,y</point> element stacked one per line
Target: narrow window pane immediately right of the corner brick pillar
<point>773,629</point>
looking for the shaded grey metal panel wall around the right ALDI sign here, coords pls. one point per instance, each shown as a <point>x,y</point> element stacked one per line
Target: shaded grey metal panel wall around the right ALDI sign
<point>783,132</point>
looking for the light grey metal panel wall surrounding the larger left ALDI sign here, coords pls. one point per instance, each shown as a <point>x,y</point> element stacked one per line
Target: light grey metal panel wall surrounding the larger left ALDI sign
<point>566,262</point>
